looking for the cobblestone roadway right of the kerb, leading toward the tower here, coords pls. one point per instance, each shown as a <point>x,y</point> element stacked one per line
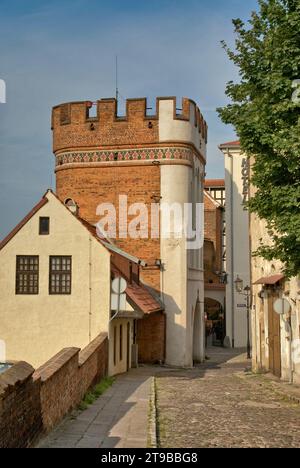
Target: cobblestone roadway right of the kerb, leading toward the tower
<point>221,405</point>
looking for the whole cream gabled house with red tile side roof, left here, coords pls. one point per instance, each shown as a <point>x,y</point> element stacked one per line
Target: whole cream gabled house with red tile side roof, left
<point>55,285</point>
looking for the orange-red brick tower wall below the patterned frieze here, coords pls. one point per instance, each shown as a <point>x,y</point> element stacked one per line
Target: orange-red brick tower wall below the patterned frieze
<point>89,187</point>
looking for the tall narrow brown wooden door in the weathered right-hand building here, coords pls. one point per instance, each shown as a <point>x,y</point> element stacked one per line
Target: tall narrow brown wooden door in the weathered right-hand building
<point>274,339</point>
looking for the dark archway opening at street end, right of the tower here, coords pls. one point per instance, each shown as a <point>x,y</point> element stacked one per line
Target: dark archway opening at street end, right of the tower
<point>214,322</point>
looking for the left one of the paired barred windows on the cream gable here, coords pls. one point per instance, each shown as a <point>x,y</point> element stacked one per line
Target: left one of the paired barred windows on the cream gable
<point>27,275</point>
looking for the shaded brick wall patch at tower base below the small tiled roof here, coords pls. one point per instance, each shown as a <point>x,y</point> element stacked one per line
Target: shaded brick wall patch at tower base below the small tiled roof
<point>151,333</point>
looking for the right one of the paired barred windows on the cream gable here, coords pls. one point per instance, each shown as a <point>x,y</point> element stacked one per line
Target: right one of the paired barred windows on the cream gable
<point>60,280</point>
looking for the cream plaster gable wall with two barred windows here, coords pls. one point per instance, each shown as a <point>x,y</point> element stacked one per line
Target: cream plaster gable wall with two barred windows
<point>36,327</point>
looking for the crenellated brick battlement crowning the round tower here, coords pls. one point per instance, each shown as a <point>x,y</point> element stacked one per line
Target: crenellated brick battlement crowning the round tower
<point>74,126</point>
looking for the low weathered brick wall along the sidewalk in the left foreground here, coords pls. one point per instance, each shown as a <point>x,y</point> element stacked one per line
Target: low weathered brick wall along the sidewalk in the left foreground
<point>33,402</point>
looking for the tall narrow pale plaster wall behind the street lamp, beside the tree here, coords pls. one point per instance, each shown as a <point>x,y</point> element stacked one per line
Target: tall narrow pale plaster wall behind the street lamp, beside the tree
<point>238,257</point>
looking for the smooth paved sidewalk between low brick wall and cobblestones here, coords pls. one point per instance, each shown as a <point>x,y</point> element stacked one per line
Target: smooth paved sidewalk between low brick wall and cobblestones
<point>112,419</point>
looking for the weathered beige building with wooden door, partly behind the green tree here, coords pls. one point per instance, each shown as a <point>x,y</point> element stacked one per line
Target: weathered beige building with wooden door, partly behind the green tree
<point>276,338</point>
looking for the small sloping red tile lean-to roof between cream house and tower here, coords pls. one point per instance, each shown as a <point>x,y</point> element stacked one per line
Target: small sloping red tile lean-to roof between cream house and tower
<point>139,295</point>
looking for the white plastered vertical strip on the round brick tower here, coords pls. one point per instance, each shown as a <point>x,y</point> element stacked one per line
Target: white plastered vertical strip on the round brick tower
<point>182,281</point>
